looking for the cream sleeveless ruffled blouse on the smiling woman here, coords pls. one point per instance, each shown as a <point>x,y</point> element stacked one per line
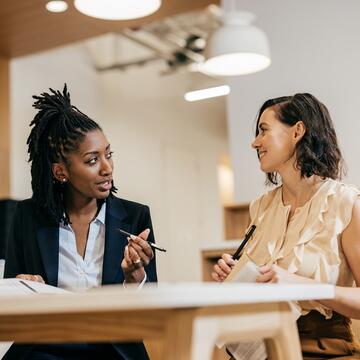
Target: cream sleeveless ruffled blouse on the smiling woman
<point>309,244</point>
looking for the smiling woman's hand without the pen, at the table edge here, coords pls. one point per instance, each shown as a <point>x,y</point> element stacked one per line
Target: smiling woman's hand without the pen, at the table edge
<point>276,274</point>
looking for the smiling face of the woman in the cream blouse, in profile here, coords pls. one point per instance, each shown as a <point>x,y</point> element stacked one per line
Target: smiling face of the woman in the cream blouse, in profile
<point>275,142</point>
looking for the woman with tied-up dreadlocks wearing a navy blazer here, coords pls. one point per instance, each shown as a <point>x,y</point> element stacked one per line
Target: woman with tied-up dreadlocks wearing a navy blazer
<point>67,234</point>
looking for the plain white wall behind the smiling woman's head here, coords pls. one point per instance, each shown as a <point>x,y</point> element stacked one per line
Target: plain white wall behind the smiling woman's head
<point>315,48</point>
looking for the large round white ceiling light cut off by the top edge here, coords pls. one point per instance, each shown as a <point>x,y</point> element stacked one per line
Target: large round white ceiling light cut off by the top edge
<point>117,9</point>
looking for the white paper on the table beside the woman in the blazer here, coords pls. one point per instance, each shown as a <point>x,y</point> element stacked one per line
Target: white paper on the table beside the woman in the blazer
<point>20,287</point>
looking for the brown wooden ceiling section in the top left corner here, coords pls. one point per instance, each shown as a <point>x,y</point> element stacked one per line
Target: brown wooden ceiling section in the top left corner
<point>27,27</point>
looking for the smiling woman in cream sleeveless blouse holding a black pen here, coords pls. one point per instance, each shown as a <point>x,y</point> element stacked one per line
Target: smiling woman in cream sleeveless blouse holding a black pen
<point>308,226</point>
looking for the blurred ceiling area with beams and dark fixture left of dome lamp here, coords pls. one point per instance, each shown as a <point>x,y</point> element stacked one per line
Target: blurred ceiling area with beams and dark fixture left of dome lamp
<point>178,41</point>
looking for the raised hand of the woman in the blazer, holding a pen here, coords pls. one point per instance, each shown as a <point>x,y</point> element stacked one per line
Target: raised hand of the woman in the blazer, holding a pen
<point>137,254</point>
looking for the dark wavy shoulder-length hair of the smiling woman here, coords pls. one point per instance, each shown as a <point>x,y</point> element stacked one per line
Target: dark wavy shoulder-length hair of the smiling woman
<point>317,153</point>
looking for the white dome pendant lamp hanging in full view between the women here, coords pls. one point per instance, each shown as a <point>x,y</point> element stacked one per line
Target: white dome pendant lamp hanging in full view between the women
<point>237,48</point>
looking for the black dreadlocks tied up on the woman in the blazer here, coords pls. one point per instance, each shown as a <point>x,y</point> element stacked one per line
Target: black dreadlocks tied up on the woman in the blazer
<point>58,128</point>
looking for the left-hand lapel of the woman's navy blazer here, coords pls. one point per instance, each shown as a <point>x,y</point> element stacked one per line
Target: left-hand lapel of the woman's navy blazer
<point>48,240</point>
